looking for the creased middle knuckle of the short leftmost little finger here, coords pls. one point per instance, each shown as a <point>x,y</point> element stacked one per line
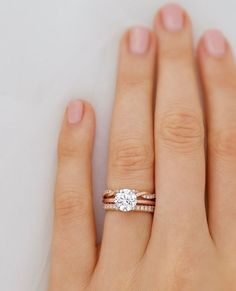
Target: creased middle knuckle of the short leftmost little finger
<point>70,205</point>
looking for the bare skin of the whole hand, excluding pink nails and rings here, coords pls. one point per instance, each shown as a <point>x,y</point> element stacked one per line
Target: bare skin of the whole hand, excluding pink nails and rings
<point>189,242</point>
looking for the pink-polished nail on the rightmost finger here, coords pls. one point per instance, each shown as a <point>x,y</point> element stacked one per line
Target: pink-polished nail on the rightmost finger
<point>215,43</point>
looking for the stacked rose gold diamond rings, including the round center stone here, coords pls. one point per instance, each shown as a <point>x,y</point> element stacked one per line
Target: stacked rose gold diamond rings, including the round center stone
<point>129,200</point>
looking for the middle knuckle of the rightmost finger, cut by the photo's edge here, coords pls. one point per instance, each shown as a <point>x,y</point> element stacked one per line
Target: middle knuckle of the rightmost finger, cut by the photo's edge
<point>223,143</point>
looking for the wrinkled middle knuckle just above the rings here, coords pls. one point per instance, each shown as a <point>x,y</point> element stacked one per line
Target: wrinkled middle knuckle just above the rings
<point>131,155</point>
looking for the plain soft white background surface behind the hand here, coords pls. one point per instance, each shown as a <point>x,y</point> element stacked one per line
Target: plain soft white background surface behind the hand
<point>52,51</point>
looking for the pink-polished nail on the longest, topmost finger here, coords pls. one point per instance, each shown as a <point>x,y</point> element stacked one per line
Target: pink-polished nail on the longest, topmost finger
<point>172,17</point>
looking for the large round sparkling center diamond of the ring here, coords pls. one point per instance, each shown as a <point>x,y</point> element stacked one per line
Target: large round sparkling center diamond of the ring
<point>125,200</point>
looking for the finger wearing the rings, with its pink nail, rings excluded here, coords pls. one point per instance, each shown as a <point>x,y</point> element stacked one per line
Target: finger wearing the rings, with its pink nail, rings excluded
<point>131,156</point>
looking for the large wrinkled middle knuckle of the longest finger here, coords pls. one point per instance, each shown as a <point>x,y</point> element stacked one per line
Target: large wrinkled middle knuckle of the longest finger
<point>181,131</point>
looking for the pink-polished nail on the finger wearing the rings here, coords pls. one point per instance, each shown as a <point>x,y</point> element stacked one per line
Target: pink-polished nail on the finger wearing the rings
<point>139,40</point>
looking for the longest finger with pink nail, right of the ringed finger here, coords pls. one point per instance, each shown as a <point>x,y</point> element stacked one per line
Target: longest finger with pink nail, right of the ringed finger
<point>179,130</point>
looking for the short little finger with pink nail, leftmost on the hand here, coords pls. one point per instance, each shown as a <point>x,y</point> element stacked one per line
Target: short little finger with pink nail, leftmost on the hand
<point>74,242</point>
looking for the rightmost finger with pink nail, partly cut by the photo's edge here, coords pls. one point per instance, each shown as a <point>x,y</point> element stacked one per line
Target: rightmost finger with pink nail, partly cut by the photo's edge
<point>218,73</point>
